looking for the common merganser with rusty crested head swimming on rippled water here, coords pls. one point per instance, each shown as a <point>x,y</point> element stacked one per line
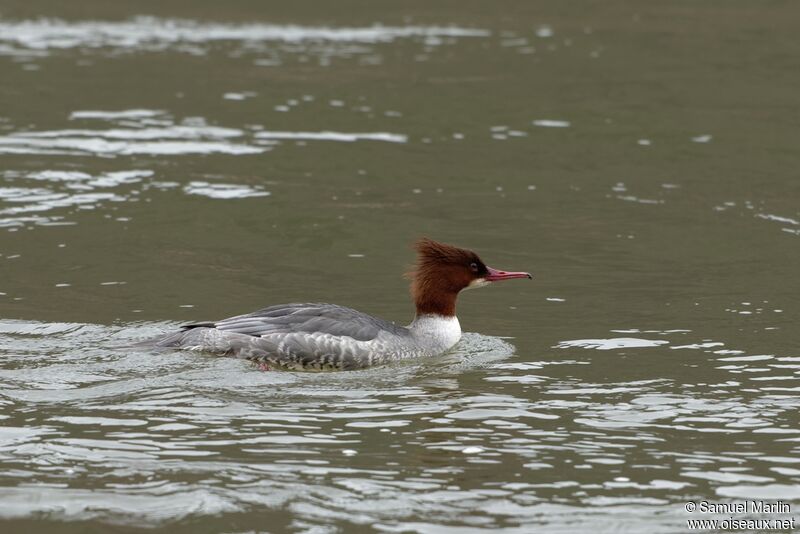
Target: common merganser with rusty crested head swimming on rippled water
<point>330,337</point>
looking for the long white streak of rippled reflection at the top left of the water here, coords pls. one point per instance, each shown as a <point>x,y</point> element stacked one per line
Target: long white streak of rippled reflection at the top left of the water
<point>269,45</point>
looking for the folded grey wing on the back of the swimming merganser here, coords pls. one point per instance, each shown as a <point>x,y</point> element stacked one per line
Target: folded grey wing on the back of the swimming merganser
<point>309,318</point>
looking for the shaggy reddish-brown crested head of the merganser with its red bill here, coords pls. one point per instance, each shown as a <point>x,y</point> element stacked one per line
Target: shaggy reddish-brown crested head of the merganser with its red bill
<point>443,270</point>
